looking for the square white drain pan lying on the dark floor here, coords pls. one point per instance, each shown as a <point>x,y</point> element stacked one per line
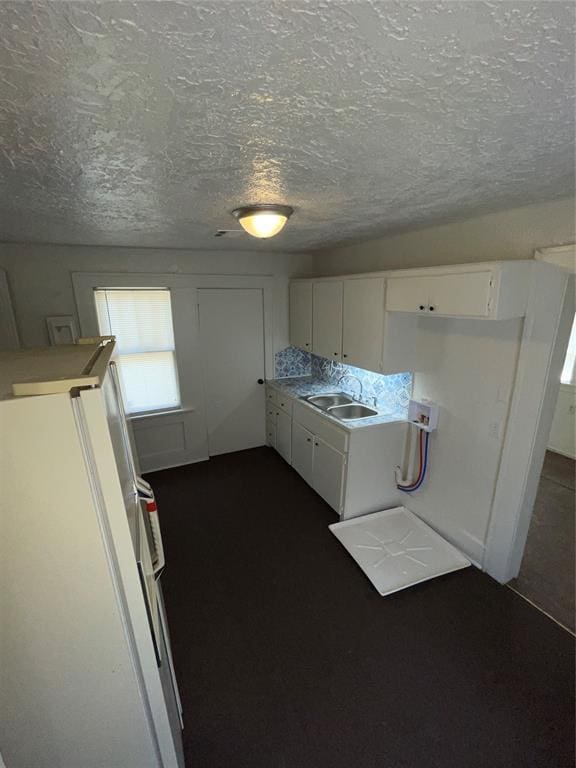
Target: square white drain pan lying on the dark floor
<point>396,549</point>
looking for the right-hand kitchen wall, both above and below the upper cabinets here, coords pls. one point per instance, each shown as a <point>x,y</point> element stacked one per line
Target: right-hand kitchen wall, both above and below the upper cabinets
<point>470,365</point>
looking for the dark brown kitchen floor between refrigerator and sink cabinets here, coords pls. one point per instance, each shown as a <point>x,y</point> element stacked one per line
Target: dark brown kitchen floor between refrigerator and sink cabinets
<point>288,658</point>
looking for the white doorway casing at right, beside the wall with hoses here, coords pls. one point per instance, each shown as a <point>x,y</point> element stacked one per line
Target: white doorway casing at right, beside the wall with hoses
<point>547,326</point>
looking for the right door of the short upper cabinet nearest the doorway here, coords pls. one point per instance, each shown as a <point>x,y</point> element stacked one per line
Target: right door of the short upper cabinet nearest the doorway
<point>465,295</point>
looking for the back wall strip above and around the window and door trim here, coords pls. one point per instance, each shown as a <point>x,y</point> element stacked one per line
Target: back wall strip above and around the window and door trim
<point>40,282</point>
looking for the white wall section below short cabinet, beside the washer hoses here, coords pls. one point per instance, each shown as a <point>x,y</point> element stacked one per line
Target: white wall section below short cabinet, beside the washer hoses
<point>471,377</point>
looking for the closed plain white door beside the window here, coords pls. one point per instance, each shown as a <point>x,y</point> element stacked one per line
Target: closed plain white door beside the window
<point>232,341</point>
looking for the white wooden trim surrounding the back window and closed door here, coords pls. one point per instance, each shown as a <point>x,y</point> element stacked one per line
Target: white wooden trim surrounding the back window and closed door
<point>189,421</point>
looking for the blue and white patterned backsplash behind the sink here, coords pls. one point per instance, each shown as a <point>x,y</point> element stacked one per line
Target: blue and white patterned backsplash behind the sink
<point>391,391</point>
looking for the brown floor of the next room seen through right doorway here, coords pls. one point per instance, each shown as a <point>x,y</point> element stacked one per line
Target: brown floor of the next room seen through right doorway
<point>548,574</point>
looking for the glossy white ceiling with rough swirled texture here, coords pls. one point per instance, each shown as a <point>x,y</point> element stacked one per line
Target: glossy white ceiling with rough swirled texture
<point>145,123</point>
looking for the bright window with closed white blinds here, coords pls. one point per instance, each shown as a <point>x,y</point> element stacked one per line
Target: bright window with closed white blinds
<point>141,321</point>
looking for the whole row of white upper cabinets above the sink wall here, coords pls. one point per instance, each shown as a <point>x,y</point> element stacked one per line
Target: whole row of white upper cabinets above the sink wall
<point>364,321</point>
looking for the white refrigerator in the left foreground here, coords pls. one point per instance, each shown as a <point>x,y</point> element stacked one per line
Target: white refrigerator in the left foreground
<point>86,673</point>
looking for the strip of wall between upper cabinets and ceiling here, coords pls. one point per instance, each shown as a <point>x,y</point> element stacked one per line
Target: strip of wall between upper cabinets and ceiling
<point>512,234</point>
